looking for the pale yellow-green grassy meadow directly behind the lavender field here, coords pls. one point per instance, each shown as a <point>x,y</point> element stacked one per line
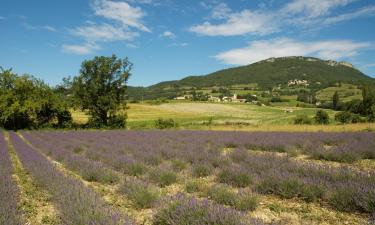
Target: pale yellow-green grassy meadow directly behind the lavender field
<point>226,116</point>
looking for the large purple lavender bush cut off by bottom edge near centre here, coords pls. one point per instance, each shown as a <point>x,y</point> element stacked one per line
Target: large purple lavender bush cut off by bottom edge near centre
<point>184,211</point>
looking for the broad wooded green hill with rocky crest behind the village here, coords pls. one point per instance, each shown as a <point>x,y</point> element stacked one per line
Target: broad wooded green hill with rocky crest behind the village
<point>266,74</point>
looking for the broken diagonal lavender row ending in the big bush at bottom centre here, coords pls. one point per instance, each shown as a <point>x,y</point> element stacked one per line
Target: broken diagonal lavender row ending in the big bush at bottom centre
<point>206,211</point>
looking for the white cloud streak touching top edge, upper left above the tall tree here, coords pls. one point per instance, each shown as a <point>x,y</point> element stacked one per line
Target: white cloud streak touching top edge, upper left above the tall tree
<point>121,12</point>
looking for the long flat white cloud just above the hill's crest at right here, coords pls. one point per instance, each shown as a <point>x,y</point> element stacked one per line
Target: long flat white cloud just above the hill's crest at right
<point>260,50</point>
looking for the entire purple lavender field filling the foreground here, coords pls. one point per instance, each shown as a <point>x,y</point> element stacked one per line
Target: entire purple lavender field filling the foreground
<point>193,177</point>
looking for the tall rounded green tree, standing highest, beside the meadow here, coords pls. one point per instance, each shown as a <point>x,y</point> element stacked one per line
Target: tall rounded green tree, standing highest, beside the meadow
<point>101,89</point>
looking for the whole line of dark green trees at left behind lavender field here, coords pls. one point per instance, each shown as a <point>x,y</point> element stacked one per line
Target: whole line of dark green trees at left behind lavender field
<point>100,89</point>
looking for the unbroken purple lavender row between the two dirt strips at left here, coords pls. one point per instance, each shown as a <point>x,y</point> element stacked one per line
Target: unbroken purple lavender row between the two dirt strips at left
<point>76,203</point>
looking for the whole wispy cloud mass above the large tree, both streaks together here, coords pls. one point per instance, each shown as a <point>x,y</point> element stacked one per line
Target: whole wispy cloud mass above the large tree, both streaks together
<point>123,23</point>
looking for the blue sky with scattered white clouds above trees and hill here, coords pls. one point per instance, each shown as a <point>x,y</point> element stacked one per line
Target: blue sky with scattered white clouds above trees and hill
<point>171,39</point>
